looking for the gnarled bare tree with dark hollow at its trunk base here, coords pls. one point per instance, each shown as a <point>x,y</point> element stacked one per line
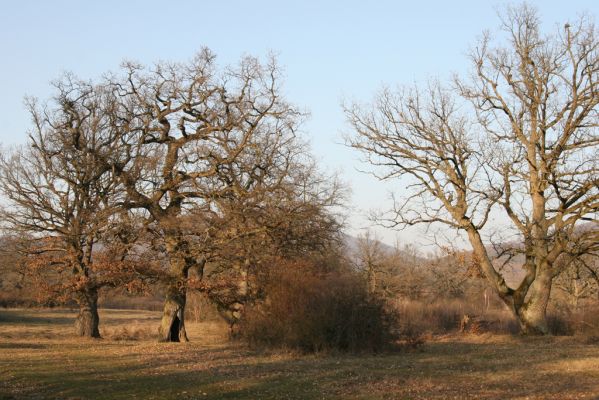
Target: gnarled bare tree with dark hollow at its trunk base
<point>193,137</point>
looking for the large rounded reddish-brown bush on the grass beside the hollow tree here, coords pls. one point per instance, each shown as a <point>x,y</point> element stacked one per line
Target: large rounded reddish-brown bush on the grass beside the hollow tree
<point>314,312</point>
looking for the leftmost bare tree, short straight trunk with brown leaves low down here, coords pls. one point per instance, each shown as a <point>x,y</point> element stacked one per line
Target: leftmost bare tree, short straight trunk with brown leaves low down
<point>60,197</point>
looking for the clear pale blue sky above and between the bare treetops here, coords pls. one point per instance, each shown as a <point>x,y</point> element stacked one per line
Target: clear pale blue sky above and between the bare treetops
<point>330,50</point>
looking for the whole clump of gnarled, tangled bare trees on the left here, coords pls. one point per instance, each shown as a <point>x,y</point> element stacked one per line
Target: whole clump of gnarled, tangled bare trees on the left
<point>181,173</point>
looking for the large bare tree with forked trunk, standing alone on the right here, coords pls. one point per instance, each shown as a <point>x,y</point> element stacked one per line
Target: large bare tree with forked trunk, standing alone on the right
<point>519,136</point>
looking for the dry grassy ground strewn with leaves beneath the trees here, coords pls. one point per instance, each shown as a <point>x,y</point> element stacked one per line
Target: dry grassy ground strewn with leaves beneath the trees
<point>40,360</point>
